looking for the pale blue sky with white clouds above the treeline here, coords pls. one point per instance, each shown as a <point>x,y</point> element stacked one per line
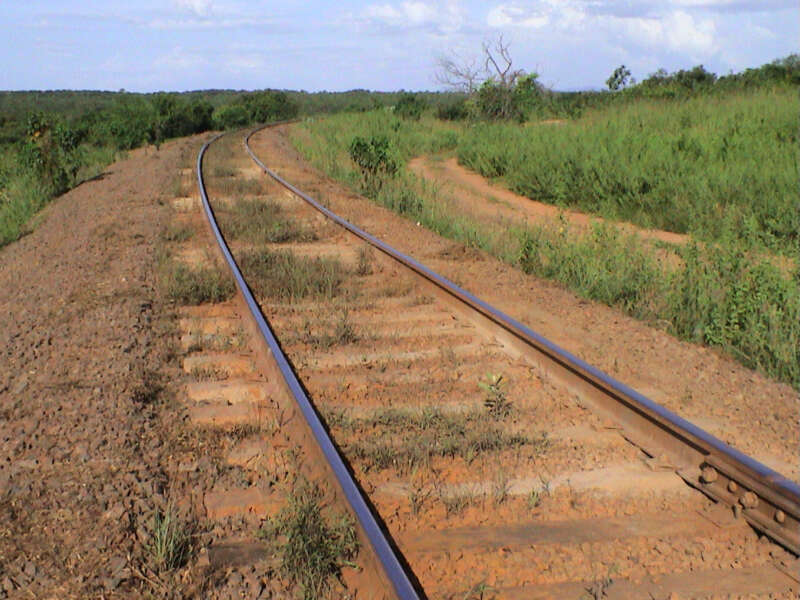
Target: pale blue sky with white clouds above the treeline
<point>179,45</point>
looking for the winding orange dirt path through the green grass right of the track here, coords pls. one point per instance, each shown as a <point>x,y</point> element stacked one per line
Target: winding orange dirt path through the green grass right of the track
<point>480,197</point>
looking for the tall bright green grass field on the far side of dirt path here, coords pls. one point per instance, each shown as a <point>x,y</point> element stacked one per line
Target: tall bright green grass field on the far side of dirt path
<point>712,166</point>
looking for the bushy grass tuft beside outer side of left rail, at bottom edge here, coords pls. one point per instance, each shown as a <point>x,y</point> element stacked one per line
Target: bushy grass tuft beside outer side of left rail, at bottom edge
<point>313,547</point>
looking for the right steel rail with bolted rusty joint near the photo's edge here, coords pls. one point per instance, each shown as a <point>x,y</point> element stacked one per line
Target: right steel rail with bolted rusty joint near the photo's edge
<point>767,500</point>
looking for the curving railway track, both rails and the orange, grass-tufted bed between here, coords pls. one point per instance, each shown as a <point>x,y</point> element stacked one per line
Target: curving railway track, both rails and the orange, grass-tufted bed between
<point>498,464</point>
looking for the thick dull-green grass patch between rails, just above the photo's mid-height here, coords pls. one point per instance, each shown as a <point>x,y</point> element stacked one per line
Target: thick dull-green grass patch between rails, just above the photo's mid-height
<point>283,275</point>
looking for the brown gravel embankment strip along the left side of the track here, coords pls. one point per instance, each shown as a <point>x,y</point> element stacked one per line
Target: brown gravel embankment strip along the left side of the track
<point>89,442</point>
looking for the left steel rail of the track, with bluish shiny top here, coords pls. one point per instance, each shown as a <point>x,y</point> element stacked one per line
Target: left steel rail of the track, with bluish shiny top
<point>389,562</point>
